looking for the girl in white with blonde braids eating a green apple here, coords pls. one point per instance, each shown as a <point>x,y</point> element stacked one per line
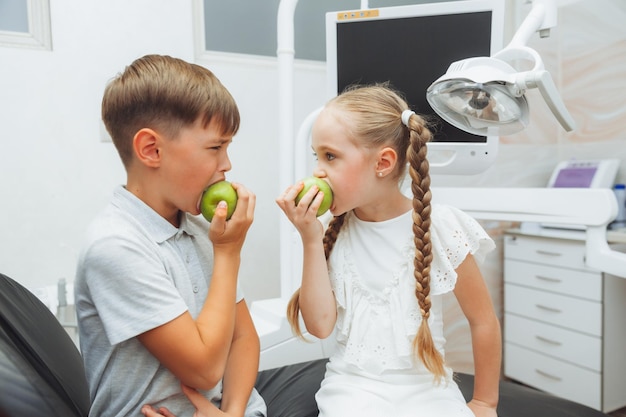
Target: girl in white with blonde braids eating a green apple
<point>376,275</point>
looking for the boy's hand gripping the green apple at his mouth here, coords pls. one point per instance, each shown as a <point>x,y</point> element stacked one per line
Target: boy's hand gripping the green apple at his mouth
<point>232,233</point>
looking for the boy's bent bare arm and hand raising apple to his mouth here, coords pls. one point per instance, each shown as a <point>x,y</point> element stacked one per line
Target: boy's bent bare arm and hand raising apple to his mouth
<point>196,351</point>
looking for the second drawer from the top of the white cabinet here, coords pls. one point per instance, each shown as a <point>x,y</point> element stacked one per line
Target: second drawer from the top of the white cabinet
<point>583,284</point>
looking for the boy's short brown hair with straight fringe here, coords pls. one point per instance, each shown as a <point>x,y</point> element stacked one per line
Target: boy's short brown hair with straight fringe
<point>165,94</point>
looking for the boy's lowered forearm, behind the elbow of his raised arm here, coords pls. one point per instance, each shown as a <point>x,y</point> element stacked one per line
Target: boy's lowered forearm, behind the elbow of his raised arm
<point>243,362</point>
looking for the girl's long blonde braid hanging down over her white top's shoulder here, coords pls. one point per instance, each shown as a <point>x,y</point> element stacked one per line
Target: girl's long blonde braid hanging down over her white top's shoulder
<point>420,186</point>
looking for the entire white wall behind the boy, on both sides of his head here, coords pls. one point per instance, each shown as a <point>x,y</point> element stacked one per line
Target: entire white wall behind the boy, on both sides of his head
<point>56,172</point>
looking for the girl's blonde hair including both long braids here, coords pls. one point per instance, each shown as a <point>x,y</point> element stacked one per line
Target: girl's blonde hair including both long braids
<point>376,114</point>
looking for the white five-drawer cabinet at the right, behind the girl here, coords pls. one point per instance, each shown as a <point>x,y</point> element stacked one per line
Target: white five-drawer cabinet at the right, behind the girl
<point>564,323</point>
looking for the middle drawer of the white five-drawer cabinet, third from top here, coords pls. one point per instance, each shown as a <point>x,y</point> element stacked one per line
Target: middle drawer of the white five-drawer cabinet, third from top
<point>569,312</point>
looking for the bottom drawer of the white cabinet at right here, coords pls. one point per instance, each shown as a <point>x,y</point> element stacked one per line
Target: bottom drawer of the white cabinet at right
<point>551,375</point>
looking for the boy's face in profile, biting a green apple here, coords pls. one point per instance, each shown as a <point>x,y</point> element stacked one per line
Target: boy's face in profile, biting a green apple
<point>192,162</point>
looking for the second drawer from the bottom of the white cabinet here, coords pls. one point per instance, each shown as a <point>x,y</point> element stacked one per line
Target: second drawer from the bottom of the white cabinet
<point>566,345</point>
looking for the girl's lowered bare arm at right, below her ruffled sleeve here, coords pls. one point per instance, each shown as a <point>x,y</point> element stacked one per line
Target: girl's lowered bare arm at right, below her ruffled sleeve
<point>475,301</point>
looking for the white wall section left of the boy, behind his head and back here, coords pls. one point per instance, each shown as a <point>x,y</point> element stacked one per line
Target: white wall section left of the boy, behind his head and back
<point>55,171</point>
